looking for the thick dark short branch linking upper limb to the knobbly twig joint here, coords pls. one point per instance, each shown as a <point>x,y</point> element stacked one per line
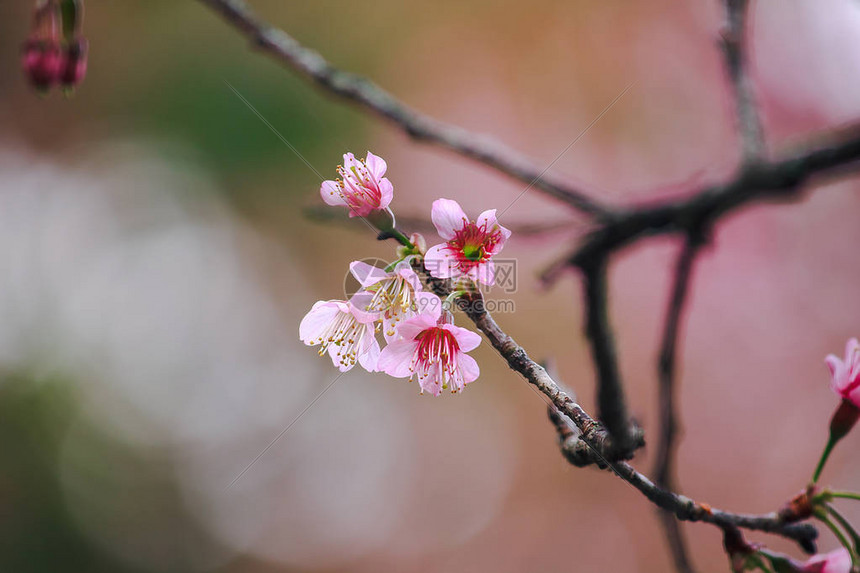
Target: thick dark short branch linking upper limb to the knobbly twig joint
<point>611,403</point>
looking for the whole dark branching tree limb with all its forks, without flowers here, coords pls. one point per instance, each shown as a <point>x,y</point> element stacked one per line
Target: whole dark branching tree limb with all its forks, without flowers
<point>585,441</point>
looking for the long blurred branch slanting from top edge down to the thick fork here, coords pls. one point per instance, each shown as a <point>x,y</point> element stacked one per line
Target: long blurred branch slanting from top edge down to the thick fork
<point>371,97</point>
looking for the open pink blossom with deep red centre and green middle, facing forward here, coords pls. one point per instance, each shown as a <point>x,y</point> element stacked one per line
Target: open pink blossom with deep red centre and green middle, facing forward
<point>470,245</point>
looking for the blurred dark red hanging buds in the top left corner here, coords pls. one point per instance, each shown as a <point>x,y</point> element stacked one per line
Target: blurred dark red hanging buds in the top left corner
<point>55,52</point>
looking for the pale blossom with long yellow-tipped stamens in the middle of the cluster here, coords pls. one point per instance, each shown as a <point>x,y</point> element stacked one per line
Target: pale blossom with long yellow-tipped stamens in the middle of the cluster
<point>392,296</point>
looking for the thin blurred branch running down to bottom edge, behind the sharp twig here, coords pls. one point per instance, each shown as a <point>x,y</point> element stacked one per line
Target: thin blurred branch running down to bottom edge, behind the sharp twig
<point>666,444</point>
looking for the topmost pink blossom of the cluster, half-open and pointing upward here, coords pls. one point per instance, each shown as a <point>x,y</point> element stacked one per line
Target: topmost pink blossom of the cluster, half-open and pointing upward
<point>361,185</point>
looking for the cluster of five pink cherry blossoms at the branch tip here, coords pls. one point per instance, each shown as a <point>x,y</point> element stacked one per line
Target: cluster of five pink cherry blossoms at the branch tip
<point>421,340</point>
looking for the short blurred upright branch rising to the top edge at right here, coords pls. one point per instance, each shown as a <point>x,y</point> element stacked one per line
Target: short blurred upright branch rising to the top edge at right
<point>735,42</point>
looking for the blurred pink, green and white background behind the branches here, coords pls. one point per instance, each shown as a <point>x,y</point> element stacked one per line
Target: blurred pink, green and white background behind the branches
<point>156,259</point>
